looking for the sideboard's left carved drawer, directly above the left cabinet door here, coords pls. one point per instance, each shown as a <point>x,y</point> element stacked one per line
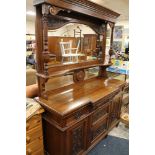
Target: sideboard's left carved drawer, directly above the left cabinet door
<point>77,115</point>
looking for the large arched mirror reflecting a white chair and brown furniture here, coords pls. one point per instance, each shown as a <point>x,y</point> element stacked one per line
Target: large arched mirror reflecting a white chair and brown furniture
<point>72,43</point>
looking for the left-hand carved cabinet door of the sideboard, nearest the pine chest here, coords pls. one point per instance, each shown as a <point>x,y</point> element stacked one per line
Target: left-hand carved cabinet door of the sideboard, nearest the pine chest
<point>77,138</point>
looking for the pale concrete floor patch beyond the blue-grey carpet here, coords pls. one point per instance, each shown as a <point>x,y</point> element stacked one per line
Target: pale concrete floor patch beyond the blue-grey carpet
<point>121,131</point>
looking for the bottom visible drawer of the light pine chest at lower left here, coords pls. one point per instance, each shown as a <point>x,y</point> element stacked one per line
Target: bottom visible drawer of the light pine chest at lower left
<point>34,146</point>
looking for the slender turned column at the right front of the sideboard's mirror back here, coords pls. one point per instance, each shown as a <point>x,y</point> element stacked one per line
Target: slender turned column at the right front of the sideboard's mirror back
<point>111,40</point>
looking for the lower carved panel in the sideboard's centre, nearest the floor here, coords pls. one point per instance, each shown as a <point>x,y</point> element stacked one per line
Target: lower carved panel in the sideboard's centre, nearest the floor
<point>99,128</point>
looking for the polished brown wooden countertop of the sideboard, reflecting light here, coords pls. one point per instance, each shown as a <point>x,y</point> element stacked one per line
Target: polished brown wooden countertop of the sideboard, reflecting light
<point>68,99</point>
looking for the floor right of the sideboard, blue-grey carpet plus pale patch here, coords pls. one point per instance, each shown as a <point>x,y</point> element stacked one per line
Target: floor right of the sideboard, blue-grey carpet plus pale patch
<point>117,143</point>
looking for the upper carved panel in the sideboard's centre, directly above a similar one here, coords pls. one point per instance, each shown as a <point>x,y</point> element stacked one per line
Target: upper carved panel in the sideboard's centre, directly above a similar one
<point>100,112</point>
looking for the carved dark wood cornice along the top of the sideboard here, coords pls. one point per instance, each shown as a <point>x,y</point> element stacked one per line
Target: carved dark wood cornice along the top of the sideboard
<point>84,7</point>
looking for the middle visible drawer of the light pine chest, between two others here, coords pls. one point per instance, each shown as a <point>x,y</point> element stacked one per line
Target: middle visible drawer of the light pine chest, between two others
<point>33,134</point>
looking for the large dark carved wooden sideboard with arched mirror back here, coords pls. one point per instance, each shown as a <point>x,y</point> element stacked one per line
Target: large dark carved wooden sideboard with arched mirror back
<point>77,116</point>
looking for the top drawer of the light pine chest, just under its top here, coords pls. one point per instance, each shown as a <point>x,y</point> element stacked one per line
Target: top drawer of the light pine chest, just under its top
<point>33,122</point>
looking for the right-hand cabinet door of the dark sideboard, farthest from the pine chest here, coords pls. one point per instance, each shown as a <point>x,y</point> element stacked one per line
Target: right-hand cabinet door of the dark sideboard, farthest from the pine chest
<point>115,108</point>
